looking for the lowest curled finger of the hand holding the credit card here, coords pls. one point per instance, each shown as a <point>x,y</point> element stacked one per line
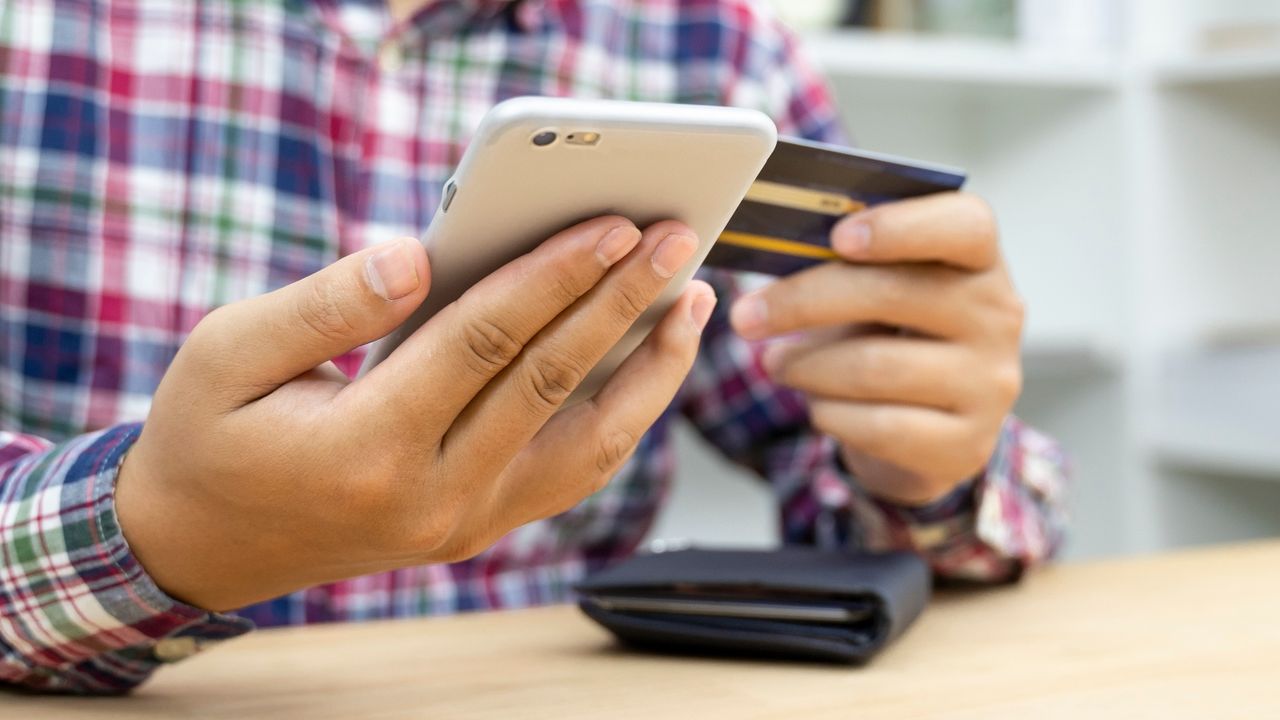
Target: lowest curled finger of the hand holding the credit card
<point>944,449</point>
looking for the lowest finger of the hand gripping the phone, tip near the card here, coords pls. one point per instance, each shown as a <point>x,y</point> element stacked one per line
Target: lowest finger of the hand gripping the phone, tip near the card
<point>587,444</point>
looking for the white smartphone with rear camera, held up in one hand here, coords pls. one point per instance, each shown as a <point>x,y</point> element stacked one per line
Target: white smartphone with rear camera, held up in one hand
<point>538,166</point>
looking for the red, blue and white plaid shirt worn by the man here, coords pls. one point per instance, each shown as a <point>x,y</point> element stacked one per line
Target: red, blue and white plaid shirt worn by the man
<point>159,160</point>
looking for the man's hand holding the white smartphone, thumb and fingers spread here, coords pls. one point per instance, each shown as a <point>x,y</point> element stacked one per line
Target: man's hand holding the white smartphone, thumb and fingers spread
<point>262,470</point>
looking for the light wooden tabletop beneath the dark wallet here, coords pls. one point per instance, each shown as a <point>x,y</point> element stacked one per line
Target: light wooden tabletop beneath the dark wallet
<point>1194,635</point>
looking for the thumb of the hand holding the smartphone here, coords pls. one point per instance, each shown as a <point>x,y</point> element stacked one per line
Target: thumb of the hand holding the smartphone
<point>276,338</point>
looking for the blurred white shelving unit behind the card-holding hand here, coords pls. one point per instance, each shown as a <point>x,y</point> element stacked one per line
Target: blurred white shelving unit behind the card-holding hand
<point>1136,193</point>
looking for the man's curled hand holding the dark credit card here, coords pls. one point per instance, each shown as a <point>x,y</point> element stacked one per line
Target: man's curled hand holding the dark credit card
<point>909,353</point>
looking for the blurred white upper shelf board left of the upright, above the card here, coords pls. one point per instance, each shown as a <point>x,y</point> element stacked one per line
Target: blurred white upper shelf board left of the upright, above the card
<point>948,61</point>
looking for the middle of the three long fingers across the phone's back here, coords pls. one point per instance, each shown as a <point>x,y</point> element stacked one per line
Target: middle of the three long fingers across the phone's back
<point>551,367</point>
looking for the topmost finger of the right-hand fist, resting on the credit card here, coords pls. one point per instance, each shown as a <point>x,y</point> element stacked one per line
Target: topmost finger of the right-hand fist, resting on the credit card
<point>956,229</point>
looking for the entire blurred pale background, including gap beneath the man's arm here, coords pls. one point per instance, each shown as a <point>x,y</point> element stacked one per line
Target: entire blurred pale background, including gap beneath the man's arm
<point>1132,153</point>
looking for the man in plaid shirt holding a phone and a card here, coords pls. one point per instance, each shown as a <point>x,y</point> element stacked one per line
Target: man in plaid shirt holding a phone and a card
<point>162,161</point>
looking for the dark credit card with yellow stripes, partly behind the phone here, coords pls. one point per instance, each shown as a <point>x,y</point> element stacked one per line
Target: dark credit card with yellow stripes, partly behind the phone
<point>785,222</point>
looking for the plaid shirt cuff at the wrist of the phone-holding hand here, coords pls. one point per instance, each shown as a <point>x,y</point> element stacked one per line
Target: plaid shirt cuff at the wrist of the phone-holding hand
<point>79,613</point>
